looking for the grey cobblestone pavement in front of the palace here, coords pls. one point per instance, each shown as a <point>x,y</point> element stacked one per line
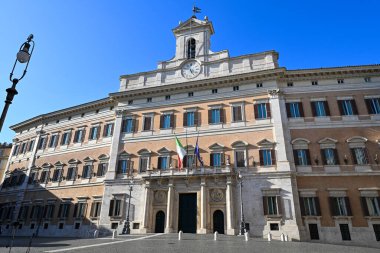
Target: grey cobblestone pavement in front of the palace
<point>169,243</point>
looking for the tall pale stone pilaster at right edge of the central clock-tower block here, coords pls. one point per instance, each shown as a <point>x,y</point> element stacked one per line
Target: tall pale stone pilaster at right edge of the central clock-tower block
<point>280,131</point>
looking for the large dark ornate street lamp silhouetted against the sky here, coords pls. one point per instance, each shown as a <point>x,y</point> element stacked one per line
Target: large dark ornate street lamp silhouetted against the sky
<point>23,56</point>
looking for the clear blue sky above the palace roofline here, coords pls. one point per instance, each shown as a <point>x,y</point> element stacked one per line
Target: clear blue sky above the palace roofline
<point>83,46</point>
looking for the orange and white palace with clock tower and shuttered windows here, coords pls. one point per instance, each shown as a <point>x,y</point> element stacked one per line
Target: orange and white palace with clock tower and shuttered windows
<point>291,152</point>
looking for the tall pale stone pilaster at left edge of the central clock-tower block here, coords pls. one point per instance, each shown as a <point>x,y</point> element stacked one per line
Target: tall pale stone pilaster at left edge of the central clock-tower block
<point>114,149</point>
